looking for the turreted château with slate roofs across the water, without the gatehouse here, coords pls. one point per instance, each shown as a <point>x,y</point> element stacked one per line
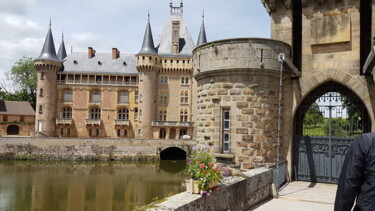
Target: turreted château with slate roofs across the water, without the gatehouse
<point>147,95</point>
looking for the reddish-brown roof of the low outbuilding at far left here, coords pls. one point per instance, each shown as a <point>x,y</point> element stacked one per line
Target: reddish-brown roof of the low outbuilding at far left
<point>22,108</point>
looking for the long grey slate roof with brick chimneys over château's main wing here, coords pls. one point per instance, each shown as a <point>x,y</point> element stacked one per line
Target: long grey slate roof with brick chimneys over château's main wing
<point>101,63</point>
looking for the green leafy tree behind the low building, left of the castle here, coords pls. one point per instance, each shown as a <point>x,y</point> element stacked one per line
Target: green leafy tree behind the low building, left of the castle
<point>24,81</point>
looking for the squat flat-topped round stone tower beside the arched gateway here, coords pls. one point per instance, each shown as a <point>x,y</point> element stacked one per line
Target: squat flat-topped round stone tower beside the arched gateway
<point>237,97</point>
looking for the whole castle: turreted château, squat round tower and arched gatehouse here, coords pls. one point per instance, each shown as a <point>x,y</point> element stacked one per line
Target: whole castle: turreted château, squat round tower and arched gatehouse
<point>249,97</point>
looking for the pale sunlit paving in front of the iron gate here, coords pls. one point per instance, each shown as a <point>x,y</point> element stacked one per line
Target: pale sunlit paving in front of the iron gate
<point>304,196</point>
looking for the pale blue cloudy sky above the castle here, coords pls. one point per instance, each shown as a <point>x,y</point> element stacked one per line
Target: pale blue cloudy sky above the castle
<point>104,24</point>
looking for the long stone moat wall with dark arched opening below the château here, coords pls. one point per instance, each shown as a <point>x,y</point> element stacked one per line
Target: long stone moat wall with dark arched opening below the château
<point>93,148</point>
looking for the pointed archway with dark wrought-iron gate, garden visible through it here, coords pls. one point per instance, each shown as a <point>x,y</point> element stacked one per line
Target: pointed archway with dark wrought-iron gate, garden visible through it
<point>325,124</point>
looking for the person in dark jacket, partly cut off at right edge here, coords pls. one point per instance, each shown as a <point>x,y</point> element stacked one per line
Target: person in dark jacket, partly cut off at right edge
<point>357,178</point>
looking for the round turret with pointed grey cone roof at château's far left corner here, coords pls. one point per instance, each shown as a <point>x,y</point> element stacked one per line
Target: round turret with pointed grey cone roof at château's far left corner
<point>47,65</point>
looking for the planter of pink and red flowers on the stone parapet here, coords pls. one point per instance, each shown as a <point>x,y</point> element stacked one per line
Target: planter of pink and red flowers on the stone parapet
<point>204,174</point>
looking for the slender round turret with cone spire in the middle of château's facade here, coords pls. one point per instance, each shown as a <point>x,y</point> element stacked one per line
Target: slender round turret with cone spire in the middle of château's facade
<point>148,64</point>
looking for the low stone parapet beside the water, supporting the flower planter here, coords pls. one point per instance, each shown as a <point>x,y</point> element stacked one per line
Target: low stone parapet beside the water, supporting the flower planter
<point>236,193</point>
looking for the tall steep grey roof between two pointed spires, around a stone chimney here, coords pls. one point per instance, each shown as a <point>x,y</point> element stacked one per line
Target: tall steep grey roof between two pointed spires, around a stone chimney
<point>165,43</point>
